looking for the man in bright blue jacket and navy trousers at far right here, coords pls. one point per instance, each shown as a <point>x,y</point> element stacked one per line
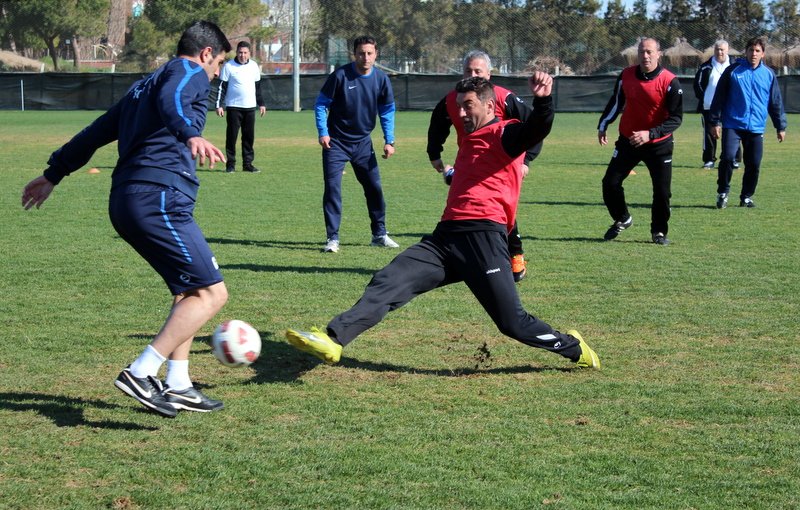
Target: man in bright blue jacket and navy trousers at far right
<point>747,92</point>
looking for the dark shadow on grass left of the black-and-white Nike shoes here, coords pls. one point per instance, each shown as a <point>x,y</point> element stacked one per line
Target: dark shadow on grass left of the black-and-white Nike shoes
<point>64,411</point>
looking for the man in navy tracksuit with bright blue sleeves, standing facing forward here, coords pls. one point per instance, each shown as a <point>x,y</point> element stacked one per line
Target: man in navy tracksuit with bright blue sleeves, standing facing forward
<point>346,108</point>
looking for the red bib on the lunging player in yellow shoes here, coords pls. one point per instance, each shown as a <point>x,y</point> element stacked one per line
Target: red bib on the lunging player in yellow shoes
<point>487,183</point>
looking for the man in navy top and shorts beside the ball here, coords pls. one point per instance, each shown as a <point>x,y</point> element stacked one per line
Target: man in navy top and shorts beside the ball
<point>158,126</point>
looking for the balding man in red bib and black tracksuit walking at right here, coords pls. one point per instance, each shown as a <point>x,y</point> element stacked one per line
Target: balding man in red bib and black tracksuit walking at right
<point>651,101</point>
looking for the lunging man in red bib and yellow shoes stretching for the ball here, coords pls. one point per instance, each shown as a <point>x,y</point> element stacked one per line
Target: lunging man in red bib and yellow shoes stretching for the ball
<point>469,243</point>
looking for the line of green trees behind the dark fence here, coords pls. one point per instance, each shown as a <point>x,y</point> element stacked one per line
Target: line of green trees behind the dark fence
<point>577,36</point>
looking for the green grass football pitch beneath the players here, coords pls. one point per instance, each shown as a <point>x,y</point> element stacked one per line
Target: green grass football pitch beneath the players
<point>697,405</point>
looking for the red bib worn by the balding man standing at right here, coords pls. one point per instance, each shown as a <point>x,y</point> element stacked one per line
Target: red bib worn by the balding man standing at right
<point>645,102</point>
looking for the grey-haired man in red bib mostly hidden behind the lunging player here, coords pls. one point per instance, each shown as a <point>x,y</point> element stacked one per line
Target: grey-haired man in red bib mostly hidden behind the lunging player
<point>507,106</point>
